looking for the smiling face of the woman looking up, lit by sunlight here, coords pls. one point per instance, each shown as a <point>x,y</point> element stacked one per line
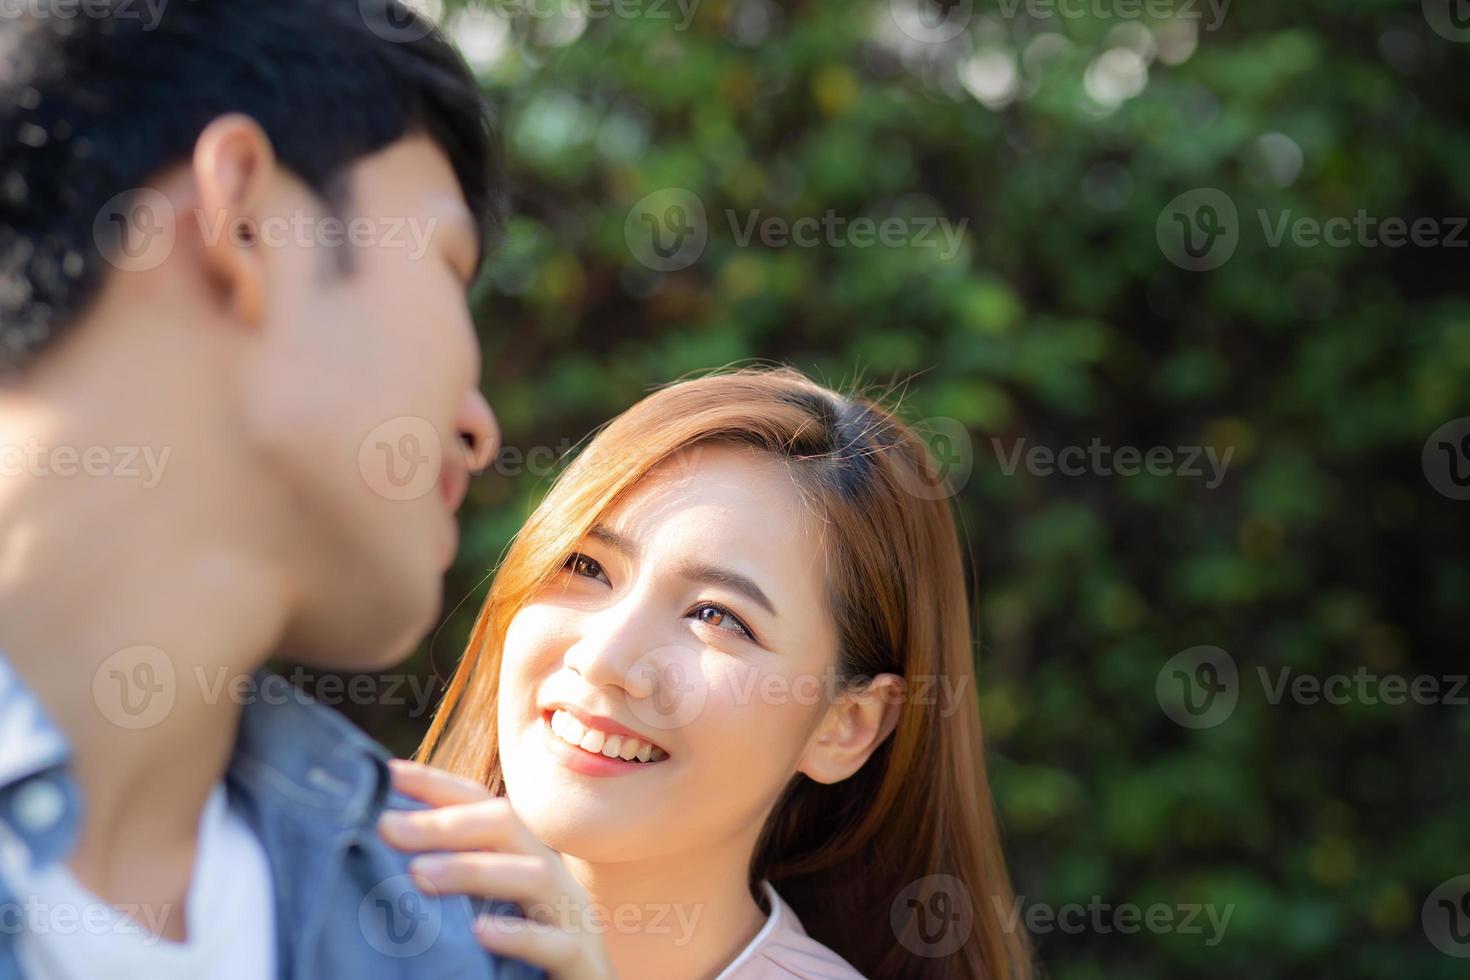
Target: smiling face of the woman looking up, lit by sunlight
<point>693,618</point>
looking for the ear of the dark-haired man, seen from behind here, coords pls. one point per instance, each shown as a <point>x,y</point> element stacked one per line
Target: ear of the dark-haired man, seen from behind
<point>234,165</point>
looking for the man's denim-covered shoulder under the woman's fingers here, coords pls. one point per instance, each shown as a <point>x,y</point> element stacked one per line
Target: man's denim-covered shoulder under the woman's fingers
<point>314,787</point>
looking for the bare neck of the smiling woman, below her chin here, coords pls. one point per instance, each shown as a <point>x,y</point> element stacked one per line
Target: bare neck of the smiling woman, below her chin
<point>683,918</point>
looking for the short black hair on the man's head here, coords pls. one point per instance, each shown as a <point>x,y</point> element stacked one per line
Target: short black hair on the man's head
<point>99,98</point>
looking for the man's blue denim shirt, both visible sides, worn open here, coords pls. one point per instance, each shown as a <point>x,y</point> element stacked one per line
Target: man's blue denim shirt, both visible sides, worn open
<point>311,787</point>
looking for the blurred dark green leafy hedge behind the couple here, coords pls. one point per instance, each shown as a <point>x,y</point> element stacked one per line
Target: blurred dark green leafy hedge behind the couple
<point>1059,321</point>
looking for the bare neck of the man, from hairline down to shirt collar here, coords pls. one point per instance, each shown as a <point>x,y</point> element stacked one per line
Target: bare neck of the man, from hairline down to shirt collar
<point>121,608</point>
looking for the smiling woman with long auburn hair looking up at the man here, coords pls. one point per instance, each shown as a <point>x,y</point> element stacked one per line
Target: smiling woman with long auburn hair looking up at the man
<point>725,674</point>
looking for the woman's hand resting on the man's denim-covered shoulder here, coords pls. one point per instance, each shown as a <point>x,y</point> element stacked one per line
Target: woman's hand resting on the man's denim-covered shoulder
<point>498,857</point>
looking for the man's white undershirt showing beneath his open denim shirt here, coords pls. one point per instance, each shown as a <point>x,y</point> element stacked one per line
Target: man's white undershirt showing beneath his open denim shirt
<point>73,935</point>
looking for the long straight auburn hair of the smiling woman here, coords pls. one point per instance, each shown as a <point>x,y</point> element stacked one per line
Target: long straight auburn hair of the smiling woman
<point>875,865</point>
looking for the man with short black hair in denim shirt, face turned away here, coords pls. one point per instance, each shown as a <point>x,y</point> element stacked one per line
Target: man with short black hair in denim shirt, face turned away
<point>239,411</point>
